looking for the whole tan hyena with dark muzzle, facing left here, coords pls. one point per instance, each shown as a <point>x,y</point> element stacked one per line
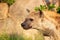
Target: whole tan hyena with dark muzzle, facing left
<point>44,21</point>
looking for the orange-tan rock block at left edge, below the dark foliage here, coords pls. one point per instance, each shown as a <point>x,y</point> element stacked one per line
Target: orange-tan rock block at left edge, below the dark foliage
<point>3,10</point>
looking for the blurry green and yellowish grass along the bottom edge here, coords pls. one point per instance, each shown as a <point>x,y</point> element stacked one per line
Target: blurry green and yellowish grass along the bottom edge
<point>6,36</point>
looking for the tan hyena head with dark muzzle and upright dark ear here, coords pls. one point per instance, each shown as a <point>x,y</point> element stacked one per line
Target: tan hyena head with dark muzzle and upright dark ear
<point>33,20</point>
